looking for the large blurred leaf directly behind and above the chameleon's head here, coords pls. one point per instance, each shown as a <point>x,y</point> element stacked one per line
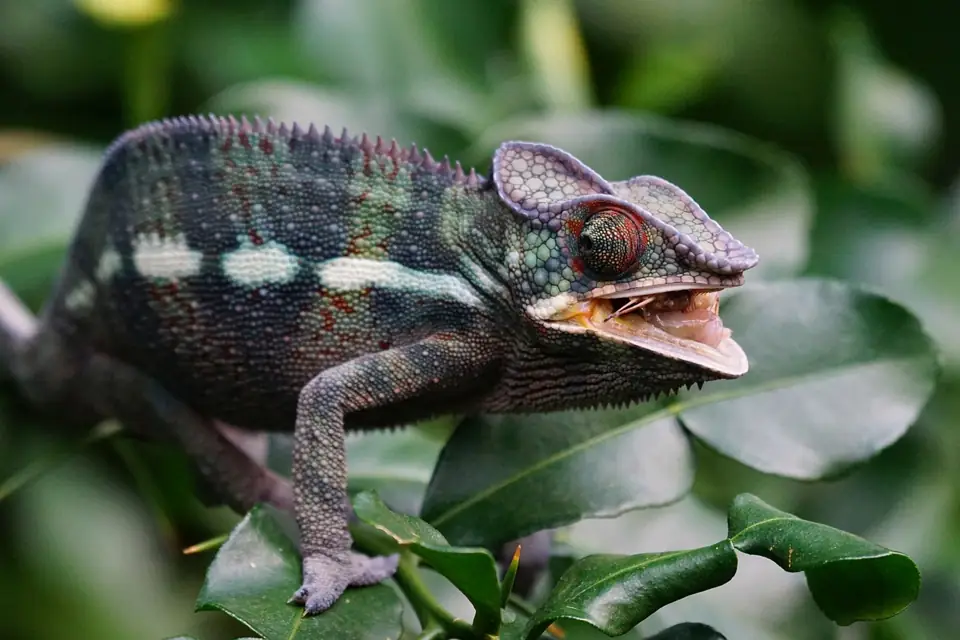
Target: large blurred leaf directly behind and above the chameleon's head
<point>757,193</point>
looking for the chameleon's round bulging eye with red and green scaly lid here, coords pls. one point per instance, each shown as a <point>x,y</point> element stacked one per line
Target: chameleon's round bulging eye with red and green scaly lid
<point>611,243</point>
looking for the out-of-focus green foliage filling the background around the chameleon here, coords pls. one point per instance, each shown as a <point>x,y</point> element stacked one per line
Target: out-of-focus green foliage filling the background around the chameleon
<point>853,108</point>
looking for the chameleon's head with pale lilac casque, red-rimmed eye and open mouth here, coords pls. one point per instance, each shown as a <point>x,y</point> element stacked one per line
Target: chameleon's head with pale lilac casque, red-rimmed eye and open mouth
<point>635,263</point>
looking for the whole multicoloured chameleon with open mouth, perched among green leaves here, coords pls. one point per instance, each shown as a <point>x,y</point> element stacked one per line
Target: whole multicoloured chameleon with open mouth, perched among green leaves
<point>231,276</point>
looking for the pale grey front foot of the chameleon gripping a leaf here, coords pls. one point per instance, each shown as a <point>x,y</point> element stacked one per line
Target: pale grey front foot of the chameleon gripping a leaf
<point>325,579</point>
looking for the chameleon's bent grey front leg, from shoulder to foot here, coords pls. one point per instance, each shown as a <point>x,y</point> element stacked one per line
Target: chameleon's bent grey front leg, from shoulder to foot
<point>433,367</point>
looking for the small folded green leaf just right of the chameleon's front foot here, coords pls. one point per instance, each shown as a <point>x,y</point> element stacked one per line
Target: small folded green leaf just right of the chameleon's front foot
<point>472,570</point>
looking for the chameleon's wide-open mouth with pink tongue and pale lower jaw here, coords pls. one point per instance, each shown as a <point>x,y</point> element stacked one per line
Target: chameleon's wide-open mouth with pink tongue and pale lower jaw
<point>682,324</point>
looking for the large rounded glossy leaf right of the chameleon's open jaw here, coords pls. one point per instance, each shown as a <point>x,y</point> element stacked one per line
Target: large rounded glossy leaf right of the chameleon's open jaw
<point>837,374</point>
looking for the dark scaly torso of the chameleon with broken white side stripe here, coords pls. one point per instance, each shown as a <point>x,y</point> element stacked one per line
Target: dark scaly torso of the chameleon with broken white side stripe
<point>233,262</point>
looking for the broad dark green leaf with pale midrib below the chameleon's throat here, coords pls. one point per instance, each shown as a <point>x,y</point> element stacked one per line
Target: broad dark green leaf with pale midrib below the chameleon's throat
<point>534,472</point>
